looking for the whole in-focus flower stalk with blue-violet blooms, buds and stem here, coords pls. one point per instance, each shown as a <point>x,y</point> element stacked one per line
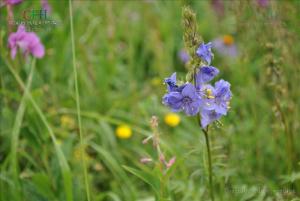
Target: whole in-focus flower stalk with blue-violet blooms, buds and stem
<point>197,97</point>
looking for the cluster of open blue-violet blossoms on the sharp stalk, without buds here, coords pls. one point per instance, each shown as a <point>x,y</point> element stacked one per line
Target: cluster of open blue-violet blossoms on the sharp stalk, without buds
<point>212,102</point>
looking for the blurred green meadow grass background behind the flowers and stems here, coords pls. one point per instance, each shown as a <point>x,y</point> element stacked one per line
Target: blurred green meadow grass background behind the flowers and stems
<point>124,50</point>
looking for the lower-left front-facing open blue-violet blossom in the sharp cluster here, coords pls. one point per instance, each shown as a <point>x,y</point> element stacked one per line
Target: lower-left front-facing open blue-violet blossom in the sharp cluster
<point>187,100</point>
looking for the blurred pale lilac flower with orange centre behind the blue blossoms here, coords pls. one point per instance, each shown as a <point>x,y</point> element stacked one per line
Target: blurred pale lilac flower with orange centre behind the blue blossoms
<point>225,46</point>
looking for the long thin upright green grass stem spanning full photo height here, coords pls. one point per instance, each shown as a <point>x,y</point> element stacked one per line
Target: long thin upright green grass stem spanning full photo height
<point>78,104</point>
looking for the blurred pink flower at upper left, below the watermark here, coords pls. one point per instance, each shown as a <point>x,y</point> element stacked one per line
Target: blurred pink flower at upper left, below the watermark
<point>28,42</point>
